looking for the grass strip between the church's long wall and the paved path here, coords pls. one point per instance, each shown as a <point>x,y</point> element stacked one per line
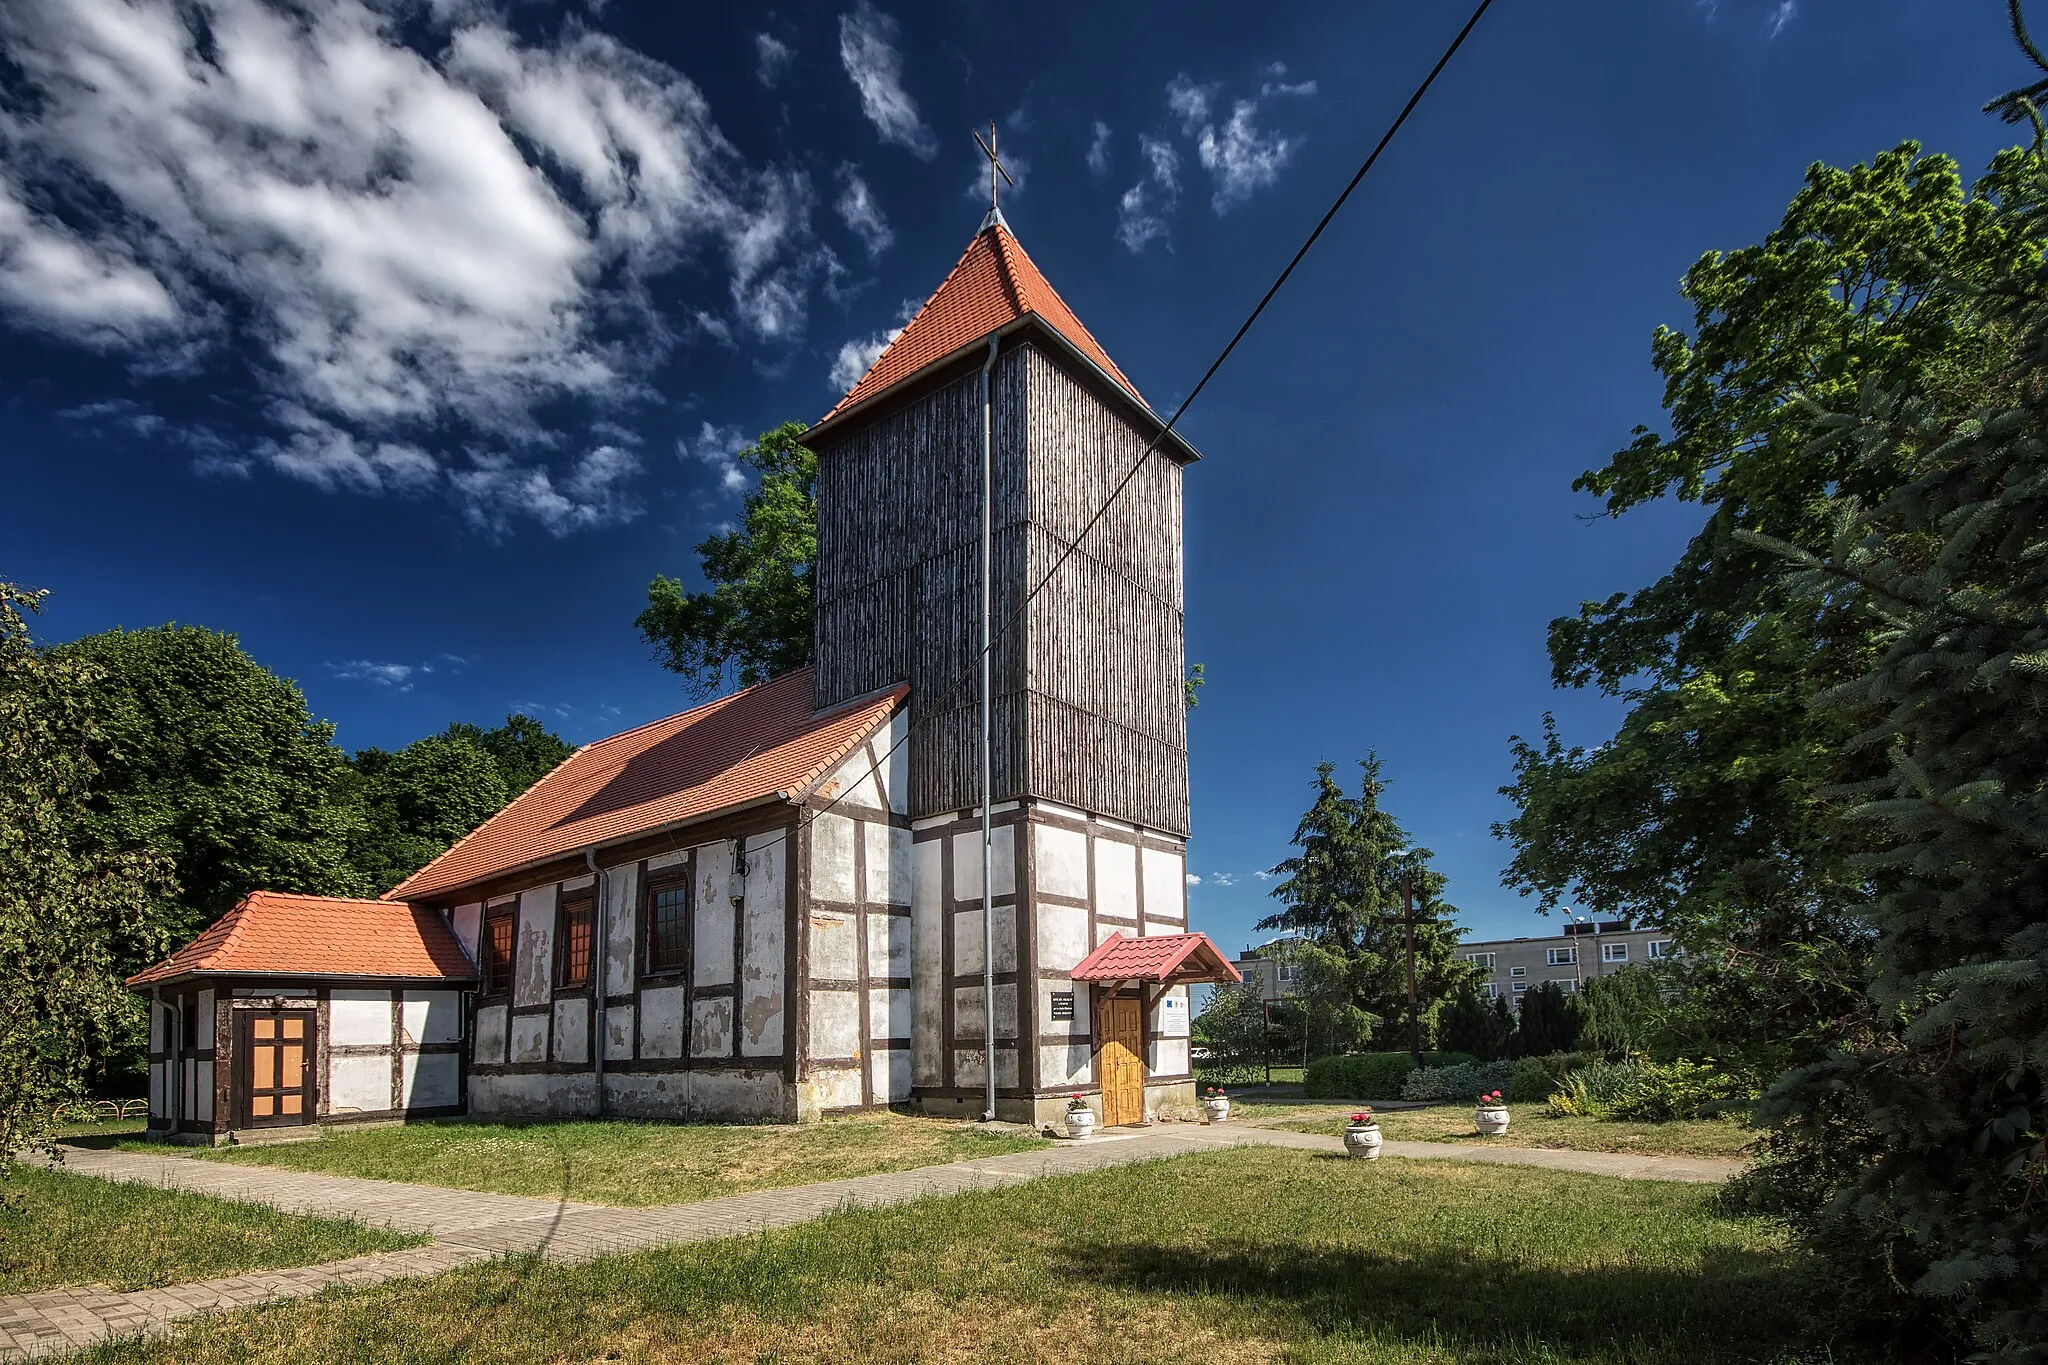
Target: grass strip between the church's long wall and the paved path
<point>617,1161</point>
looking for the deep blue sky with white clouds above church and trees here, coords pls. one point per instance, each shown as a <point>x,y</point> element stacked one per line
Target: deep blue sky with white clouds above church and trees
<point>411,343</point>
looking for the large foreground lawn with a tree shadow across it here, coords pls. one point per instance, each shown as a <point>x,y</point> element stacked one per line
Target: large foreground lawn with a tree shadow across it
<point>1242,1256</point>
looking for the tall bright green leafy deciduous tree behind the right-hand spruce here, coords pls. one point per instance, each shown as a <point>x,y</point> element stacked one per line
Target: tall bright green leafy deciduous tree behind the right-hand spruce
<point>1711,811</point>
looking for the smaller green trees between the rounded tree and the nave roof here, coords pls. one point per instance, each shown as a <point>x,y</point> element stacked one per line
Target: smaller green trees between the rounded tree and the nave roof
<point>435,791</point>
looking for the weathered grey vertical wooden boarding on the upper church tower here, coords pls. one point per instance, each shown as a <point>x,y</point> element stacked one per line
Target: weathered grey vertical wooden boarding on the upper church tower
<point>1089,689</point>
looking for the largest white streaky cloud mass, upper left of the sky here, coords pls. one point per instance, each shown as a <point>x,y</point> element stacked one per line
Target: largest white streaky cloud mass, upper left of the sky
<point>415,251</point>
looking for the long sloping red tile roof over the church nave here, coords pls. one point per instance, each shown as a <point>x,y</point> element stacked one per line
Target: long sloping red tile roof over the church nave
<point>759,744</point>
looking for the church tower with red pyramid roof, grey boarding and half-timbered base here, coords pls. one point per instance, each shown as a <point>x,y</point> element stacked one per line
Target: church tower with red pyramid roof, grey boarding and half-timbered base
<point>1091,756</point>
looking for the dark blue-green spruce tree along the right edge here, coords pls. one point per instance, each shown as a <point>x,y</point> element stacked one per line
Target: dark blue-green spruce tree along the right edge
<point>1916,1157</point>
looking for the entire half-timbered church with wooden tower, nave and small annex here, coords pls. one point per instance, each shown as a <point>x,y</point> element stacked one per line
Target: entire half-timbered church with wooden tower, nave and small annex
<point>773,906</point>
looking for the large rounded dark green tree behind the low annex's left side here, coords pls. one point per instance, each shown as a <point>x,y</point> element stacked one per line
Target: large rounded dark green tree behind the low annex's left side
<point>216,764</point>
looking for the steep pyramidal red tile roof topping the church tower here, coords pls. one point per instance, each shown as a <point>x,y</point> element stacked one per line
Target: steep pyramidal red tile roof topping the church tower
<point>992,288</point>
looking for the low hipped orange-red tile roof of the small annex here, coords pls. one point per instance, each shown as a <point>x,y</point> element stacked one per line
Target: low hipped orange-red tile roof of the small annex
<point>321,936</point>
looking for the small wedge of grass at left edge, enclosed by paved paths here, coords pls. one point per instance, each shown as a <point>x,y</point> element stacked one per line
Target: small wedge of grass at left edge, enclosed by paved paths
<point>79,1231</point>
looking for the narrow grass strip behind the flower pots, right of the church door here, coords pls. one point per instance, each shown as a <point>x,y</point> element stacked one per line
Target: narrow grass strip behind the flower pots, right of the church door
<point>1529,1127</point>
